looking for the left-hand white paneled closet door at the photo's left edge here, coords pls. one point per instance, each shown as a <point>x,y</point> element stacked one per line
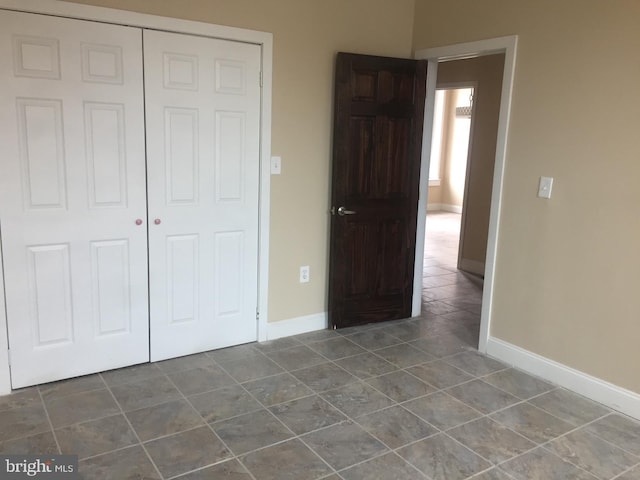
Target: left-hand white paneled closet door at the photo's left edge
<point>72,187</point>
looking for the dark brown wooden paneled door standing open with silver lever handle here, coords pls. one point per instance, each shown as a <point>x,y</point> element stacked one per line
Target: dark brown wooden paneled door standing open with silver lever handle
<point>379,110</point>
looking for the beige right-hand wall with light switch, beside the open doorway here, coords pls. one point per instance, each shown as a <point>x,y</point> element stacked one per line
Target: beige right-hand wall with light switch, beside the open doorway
<point>568,268</point>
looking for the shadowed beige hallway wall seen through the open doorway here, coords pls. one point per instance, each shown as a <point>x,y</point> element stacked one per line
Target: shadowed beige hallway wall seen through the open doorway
<point>486,74</point>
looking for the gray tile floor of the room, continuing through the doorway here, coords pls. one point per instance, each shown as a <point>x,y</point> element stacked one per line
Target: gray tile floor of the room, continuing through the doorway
<point>402,400</point>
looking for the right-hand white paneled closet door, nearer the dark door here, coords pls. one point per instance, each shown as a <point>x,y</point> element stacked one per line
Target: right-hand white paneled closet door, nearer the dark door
<point>202,100</point>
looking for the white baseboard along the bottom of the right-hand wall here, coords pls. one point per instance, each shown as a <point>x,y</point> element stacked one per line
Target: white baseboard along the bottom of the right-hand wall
<point>608,394</point>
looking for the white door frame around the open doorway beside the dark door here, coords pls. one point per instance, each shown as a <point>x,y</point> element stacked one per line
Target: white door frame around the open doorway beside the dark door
<point>508,46</point>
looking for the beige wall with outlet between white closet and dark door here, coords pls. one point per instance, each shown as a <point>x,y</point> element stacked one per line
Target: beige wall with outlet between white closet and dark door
<point>307,34</point>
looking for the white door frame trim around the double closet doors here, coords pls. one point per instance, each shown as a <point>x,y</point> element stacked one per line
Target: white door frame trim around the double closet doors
<point>121,17</point>
